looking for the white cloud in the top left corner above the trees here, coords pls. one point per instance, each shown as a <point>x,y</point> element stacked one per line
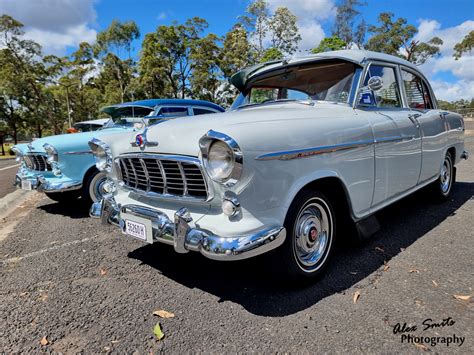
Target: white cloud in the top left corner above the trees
<point>55,24</point>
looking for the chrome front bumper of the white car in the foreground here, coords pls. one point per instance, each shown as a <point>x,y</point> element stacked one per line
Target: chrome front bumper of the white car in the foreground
<point>184,235</point>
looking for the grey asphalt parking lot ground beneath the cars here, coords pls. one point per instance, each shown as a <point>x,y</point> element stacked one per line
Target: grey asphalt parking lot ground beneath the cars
<point>69,284</point>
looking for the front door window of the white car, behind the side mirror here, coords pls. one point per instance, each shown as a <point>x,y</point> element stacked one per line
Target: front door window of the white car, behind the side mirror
<point>388,95</point>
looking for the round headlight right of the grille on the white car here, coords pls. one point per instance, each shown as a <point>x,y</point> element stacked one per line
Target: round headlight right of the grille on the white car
<point>220,161</point>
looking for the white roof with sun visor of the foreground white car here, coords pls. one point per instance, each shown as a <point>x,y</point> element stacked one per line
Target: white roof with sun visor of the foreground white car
<point>359,57</point>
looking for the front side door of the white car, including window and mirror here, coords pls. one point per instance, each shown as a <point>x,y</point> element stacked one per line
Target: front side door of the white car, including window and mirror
<point>397,139</point>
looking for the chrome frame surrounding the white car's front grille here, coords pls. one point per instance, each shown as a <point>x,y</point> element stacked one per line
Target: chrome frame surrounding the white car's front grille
<point>179,159</point>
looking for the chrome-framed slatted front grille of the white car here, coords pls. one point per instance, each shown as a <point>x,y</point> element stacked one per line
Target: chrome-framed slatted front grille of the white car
<point>160,175</point>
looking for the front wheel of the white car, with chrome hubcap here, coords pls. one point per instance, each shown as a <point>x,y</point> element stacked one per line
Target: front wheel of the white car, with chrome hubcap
<point>311,234</point>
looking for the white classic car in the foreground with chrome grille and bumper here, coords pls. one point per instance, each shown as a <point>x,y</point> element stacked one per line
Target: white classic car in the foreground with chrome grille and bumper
<point>310,144</point>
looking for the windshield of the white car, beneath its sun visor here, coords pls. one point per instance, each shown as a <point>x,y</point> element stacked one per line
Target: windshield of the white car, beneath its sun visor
<point>316,81</point>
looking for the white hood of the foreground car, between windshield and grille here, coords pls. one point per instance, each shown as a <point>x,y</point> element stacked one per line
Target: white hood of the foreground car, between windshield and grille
<point>248,126</point>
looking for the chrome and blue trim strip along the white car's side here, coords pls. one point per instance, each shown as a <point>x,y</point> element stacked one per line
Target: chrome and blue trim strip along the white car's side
<point>308,152</point>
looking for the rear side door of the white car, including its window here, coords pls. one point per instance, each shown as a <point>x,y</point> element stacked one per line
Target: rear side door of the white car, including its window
<point>432,123</point>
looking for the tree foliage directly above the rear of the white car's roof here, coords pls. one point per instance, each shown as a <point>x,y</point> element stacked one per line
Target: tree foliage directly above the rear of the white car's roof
<point>391,35</point>
